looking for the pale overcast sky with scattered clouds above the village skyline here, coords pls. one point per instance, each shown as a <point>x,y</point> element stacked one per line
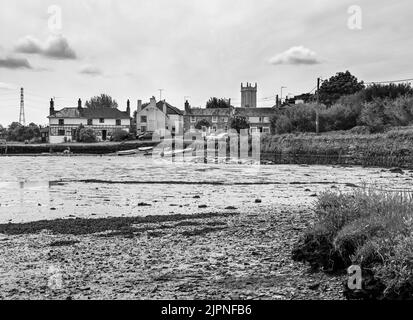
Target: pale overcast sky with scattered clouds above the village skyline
<point>196,48</point>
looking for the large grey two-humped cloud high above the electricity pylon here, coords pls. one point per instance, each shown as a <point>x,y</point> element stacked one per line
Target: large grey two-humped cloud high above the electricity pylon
<point>56,47</point>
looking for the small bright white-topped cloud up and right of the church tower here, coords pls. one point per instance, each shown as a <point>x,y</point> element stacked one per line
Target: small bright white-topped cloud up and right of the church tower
<point>296,56</point>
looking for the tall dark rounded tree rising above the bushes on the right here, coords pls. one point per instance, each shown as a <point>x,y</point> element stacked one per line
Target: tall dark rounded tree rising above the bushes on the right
<point>343,83</point>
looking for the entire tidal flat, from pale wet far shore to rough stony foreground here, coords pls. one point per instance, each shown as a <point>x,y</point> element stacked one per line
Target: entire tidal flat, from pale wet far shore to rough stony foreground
<point>67,231</point>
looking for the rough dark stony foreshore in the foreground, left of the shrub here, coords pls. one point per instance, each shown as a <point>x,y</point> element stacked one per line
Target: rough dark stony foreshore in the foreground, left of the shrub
<point>238,255</point>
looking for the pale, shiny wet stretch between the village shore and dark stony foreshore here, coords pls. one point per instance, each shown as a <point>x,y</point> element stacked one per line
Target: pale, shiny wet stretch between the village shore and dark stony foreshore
<point>36,188</point>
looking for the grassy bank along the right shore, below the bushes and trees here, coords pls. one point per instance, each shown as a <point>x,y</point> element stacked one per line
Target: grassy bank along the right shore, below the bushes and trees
<point>391,149</point>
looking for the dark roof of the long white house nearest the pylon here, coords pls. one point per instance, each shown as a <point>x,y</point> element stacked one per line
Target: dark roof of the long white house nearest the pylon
<point>91,113</point>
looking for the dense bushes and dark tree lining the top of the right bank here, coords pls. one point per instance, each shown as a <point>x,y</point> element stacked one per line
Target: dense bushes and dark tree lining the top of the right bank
<point>366,110</point>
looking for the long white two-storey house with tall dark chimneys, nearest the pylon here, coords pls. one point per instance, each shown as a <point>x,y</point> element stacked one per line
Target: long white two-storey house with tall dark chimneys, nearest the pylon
<point>103,120</point>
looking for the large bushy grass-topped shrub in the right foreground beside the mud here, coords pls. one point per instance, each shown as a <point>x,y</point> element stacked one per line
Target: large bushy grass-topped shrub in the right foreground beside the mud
<point>366,227</point>
